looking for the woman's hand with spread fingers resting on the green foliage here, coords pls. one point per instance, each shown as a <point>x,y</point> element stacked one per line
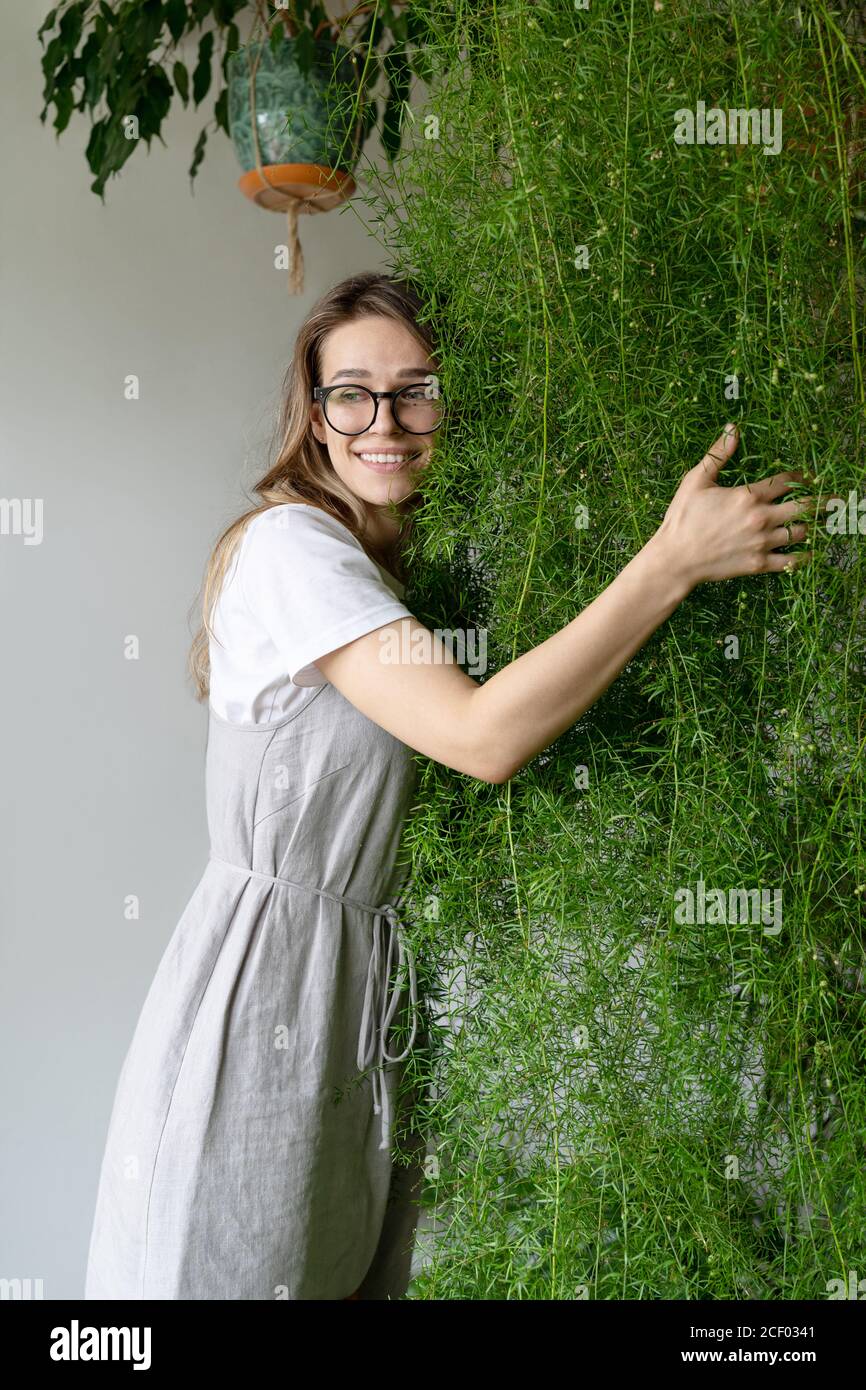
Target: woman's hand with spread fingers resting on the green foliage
<point>712,533</point>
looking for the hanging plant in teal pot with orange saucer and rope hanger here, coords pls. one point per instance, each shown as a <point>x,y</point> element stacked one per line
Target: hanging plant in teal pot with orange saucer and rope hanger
<point>297,99</point>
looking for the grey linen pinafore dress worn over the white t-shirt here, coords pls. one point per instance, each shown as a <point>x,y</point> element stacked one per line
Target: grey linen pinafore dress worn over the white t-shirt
<point>250,1143</point>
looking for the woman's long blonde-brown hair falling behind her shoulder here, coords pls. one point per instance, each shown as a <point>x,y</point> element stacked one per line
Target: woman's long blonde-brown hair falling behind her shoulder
<point>302,471</point>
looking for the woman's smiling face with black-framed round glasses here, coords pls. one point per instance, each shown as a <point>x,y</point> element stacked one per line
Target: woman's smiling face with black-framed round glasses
<point>380,465</point>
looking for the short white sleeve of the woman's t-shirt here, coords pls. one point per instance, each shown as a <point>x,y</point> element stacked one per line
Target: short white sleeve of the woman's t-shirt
<point>312,586</point>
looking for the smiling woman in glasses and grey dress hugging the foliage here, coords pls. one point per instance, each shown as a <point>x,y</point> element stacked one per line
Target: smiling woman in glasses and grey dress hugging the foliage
<point>250,1147</point>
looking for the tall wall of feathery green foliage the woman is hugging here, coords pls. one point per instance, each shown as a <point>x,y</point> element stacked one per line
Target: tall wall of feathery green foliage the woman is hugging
<point>626,1104</point>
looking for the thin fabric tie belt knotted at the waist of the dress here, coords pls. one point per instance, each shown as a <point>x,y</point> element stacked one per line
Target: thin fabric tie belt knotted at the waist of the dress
<point>380,1004</point>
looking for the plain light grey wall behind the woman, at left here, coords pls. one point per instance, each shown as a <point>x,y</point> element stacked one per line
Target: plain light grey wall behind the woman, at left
<point>102,787</point>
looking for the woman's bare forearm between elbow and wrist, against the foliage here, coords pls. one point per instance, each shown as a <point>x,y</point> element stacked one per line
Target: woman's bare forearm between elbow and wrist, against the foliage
<point>529,704</point>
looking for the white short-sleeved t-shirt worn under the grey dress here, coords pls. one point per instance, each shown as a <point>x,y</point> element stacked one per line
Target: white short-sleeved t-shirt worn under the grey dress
<point>300,586</point>
